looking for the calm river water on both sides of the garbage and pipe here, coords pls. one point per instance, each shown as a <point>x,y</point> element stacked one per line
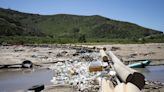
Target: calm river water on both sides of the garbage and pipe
<point>18,80</point>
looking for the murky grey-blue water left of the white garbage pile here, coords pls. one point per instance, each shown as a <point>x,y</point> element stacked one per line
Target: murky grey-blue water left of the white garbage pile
<point>12,80</point>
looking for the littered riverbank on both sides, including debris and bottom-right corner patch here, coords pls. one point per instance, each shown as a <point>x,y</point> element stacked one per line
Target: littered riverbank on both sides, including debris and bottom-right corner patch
<point>46,55</point>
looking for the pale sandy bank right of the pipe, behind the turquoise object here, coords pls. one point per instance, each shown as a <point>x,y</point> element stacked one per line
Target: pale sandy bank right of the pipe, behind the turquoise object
<point>130,52</point>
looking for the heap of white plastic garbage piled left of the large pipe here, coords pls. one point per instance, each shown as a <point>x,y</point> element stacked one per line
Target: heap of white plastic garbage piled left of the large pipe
<point>75,73</point>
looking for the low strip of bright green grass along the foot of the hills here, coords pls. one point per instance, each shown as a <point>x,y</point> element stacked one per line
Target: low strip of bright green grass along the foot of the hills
<point>48,40</point>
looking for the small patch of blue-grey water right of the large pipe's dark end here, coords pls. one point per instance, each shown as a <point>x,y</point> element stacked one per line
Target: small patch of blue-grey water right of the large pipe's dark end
<point>155,73</point>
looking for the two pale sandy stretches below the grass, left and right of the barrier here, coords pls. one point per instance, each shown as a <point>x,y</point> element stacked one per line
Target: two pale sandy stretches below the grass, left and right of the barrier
<point>126,52</point>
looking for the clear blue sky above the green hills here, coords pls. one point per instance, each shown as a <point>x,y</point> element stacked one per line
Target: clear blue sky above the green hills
<point>147,13</point>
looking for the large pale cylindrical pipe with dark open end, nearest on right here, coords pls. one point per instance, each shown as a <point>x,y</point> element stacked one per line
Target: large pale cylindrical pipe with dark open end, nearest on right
<point>127,74</point>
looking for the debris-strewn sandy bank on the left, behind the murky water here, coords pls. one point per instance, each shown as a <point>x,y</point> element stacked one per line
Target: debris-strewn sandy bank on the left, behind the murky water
<point>17,54</point>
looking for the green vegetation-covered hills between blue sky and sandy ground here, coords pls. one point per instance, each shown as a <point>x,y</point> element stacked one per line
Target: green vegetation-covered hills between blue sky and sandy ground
<point>18,27</point>
